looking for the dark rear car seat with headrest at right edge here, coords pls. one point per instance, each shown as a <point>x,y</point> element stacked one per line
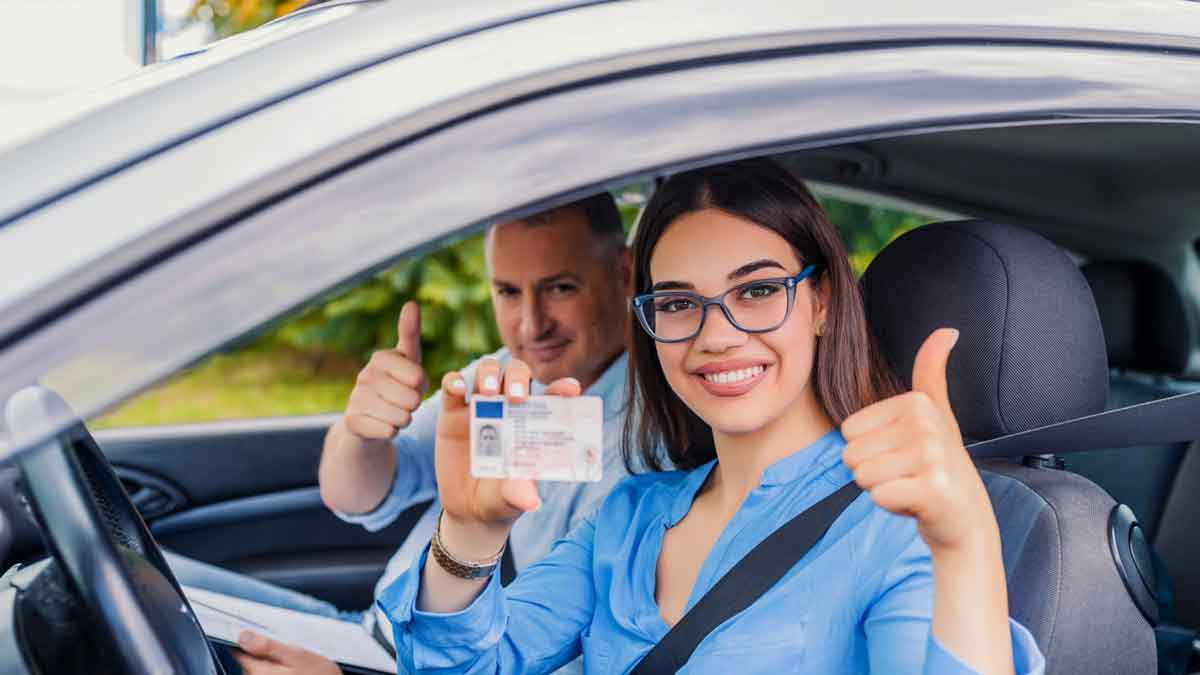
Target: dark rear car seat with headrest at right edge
<point>1150,343</point>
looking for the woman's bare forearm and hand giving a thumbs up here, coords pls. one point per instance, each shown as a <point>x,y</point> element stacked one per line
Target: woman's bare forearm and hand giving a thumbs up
<point>908,453</point>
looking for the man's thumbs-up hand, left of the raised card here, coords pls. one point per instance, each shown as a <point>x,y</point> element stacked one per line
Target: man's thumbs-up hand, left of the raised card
<point>389,389</point>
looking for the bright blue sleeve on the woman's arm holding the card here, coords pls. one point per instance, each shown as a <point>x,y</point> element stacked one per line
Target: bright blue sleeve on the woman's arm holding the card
<point>533,626</point>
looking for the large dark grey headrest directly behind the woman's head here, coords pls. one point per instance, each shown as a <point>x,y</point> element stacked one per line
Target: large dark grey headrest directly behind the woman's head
<point>1031,350</point>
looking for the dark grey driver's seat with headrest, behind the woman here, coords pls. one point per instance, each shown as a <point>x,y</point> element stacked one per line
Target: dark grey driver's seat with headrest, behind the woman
<point>1031,354</point>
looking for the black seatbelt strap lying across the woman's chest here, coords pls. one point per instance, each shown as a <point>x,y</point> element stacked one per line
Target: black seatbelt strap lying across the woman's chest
<point>749,580</point>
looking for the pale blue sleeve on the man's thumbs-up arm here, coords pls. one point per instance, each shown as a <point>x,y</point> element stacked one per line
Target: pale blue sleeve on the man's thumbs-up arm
<point>416,480</point>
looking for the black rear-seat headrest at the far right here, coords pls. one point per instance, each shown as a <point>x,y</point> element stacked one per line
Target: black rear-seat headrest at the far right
<point>1144,316</point>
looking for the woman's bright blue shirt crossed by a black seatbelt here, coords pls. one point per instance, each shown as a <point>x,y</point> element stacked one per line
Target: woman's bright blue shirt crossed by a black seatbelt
<point>860,601</point>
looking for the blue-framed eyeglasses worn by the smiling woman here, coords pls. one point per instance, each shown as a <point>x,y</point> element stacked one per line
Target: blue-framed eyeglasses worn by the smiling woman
<point>755,307</point>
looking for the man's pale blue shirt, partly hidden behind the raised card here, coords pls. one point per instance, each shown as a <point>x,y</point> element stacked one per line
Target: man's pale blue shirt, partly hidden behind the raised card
<point>565,505</point>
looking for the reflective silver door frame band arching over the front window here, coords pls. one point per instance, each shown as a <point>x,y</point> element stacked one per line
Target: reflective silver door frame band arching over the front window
<point>101,353</point>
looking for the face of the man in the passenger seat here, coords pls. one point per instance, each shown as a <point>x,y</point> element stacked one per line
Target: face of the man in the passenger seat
<point>560,296</point>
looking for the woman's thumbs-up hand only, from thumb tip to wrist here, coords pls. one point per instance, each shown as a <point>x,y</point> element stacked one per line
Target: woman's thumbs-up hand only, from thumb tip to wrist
<point>908,453</point>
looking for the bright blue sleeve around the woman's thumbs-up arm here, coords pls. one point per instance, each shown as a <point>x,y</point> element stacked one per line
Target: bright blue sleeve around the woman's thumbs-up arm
<point>901,617</point>
